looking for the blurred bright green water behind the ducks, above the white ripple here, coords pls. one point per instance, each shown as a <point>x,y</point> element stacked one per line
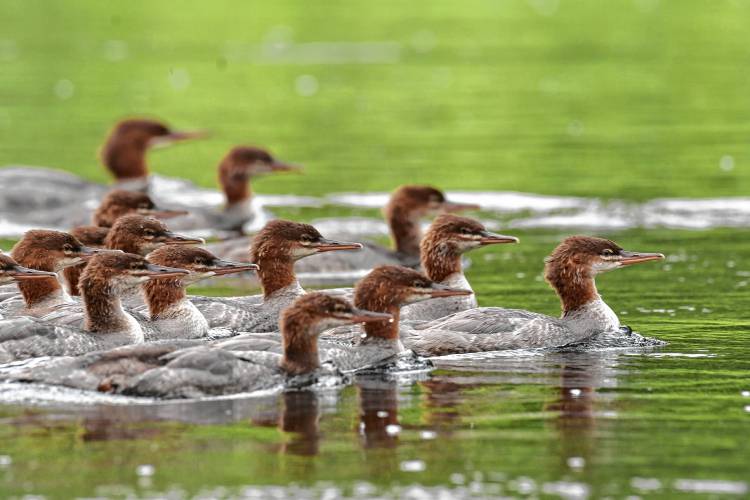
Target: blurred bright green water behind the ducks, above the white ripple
<point>626,98</point>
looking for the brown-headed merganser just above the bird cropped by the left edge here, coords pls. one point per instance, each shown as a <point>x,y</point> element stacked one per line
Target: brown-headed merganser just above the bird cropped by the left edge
<point>50,251</point>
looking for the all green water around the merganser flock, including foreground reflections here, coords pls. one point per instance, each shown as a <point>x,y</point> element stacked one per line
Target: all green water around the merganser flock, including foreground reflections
<point>631,100</point>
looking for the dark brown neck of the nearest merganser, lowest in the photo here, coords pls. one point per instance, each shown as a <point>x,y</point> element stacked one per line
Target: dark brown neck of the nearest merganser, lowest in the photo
<point>300,339</point>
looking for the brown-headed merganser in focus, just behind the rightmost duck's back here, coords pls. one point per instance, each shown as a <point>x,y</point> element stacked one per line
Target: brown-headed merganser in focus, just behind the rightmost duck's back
<point>447,239</point>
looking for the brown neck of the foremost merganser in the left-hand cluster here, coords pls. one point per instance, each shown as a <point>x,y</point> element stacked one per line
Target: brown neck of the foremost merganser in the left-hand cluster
<point>103,310</point>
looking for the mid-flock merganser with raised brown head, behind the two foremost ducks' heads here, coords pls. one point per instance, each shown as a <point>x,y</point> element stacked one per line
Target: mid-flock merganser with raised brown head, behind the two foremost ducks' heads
<point>275,249</point>
